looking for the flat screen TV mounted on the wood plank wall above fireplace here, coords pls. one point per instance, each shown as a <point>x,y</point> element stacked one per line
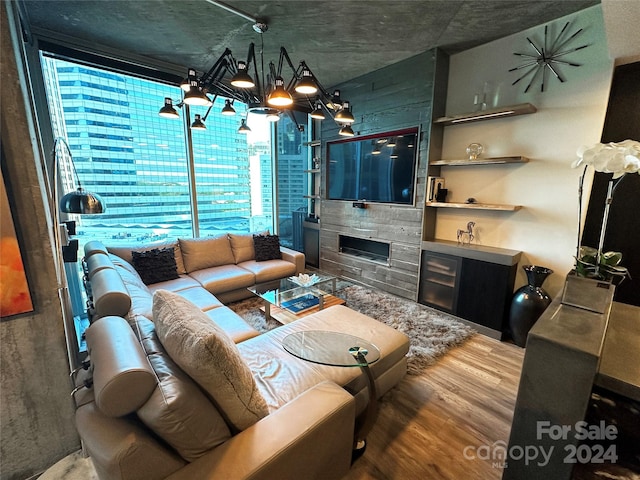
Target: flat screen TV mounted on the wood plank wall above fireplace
<point>374,168</point>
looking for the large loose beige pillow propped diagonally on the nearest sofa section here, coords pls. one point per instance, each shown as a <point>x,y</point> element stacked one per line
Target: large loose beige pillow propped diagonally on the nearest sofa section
<point>207,354</point>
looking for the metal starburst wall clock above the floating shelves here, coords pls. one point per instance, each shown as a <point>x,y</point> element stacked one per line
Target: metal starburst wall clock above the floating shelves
<point>548,59</point>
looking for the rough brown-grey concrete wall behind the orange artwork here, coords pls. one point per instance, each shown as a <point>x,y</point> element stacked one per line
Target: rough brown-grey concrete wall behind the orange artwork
<point>36,415</point>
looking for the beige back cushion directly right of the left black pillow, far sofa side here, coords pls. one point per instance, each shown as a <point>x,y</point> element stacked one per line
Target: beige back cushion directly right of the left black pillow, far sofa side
<point>201,253</point>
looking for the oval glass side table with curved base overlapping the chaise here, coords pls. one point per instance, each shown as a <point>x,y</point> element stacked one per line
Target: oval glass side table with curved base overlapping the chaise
<point>341,350</point>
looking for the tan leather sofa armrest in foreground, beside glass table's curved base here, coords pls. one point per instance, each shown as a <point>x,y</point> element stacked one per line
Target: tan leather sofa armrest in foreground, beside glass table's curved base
<point>310,437</point>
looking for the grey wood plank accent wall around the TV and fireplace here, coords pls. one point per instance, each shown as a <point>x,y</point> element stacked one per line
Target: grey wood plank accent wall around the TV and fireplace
<point>400,96</point>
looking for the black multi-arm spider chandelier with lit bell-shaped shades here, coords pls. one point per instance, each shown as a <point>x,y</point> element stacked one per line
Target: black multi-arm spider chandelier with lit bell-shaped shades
<point>280,90</point>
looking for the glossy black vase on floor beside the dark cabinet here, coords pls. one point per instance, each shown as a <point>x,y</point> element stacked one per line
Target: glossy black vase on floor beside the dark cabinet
<point>529,302</point>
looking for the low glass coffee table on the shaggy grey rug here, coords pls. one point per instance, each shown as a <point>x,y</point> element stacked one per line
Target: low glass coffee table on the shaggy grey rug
<point>286,301</point>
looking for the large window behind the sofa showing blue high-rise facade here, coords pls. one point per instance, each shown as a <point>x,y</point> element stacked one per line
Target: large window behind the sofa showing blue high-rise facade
<point>139,163</point>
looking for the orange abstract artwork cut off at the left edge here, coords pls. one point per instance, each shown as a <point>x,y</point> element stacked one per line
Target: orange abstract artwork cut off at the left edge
<point>14,289</point>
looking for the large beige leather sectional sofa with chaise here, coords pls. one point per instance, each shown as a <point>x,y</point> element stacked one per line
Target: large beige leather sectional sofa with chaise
<point>183,388</point>
